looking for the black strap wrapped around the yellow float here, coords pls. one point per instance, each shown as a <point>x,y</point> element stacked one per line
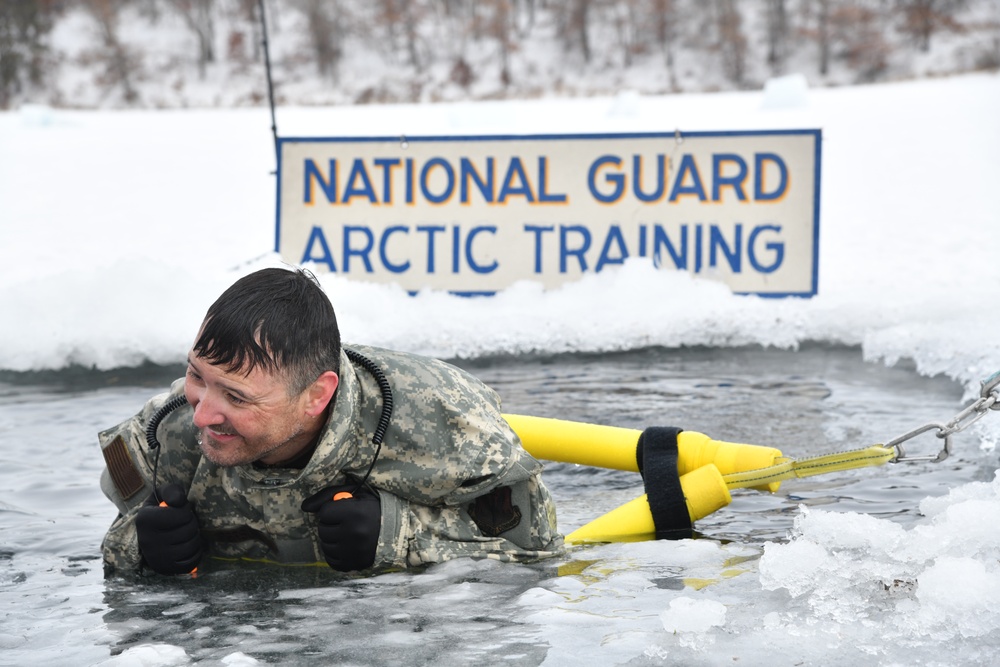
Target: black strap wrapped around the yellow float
<point>656,455</point>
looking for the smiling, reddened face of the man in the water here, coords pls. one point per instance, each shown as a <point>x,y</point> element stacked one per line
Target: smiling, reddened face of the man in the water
<point>246,418</point>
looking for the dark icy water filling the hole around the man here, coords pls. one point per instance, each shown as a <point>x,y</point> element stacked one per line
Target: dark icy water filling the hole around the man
<point>57,609</point>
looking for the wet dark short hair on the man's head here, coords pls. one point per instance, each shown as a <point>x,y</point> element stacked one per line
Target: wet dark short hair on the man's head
<point>279,320</point>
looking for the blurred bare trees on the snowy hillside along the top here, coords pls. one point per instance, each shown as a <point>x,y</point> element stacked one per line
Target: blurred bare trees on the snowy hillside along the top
<point>179,53</point>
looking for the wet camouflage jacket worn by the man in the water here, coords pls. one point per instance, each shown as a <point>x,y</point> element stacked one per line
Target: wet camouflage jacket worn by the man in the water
<point>452,477</point>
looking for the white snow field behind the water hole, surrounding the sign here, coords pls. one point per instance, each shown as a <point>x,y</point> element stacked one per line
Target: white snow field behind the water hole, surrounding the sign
<point>119,228</point>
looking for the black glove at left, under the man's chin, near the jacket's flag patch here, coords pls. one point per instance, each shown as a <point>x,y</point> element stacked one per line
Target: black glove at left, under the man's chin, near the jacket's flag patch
<point>169,538</point>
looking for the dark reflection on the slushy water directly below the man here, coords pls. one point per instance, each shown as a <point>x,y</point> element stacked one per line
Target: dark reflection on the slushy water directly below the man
<point>300,615</point>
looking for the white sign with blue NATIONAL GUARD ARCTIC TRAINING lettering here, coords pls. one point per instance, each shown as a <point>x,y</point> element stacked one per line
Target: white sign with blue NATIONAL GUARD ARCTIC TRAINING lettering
<point>475,214</point>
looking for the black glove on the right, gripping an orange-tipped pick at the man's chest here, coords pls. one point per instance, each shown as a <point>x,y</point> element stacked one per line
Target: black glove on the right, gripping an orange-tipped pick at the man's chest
<point>348,528</point>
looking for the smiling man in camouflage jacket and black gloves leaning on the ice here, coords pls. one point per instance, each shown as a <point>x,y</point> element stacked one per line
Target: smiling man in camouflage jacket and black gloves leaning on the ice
<point>292,449</point>
